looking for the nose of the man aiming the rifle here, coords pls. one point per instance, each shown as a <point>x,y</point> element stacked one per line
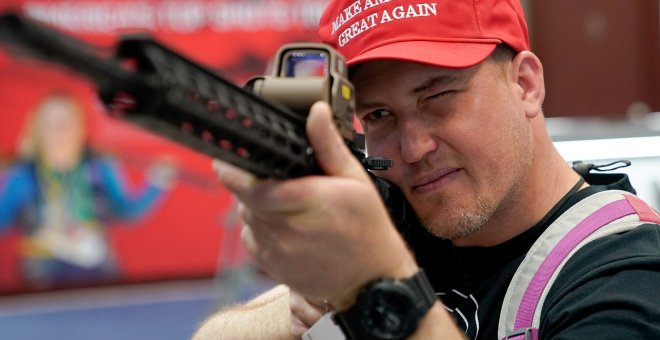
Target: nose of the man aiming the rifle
<point>416,141</point>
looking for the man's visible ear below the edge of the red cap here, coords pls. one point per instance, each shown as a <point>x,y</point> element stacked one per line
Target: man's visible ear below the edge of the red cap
<point>528,76</point>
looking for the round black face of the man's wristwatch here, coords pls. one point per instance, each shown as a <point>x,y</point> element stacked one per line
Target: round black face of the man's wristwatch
<point>388,312</point>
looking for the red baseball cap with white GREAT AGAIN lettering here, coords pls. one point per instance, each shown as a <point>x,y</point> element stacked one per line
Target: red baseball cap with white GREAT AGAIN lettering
<point>446,33</point>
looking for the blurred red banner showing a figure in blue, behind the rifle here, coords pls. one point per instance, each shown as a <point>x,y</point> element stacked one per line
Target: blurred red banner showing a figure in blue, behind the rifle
<point>179,231</point>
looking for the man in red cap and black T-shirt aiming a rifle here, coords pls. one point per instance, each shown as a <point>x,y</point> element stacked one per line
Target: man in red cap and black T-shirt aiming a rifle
<point>450,91</point>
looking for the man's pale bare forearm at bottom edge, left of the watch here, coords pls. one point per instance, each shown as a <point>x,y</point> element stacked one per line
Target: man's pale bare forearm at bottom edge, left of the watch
<point>265,317</point>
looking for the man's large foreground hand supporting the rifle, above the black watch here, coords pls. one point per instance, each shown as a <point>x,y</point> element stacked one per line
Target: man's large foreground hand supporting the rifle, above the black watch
<point>324,236</point>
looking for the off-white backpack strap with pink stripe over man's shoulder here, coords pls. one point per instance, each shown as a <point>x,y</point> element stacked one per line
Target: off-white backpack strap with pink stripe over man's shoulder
<point>601,214</point>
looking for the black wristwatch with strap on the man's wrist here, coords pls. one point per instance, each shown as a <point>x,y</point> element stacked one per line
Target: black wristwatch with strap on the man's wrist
<point>388,309</point>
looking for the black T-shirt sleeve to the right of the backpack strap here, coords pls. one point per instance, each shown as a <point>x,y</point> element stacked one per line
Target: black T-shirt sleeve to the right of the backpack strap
<point>608,290</point>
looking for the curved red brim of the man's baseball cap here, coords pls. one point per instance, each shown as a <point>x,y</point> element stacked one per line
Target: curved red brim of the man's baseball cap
<point>437,53</point>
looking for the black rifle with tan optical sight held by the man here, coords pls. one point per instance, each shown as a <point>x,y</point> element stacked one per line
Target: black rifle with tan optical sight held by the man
<point>150,85</point>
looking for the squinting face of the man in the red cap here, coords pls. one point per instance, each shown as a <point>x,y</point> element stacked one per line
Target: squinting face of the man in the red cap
<point>459,140</point>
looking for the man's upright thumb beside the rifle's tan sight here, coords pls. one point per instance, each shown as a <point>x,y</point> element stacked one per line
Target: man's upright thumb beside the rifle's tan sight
<point>332,154</point>
